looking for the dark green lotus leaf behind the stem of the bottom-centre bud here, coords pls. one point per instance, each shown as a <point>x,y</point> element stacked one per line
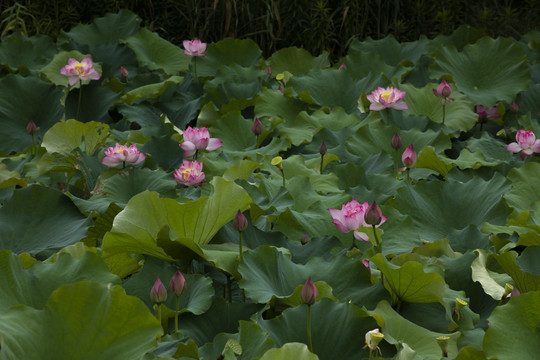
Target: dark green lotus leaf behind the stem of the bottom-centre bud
<point>348,324</point>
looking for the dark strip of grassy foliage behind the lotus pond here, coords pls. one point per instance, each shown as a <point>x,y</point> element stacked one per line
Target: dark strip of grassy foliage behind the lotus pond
<point>317,25</point>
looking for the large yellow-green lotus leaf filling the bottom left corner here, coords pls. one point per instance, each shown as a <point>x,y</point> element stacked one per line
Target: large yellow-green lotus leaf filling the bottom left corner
<point>71,326</point>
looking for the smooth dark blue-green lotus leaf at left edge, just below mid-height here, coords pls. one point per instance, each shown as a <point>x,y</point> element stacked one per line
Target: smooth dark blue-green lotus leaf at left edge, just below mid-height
<point>40,220</point>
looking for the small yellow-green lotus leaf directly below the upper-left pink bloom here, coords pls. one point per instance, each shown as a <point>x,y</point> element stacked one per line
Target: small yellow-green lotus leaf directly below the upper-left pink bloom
<point>64,137</point>
